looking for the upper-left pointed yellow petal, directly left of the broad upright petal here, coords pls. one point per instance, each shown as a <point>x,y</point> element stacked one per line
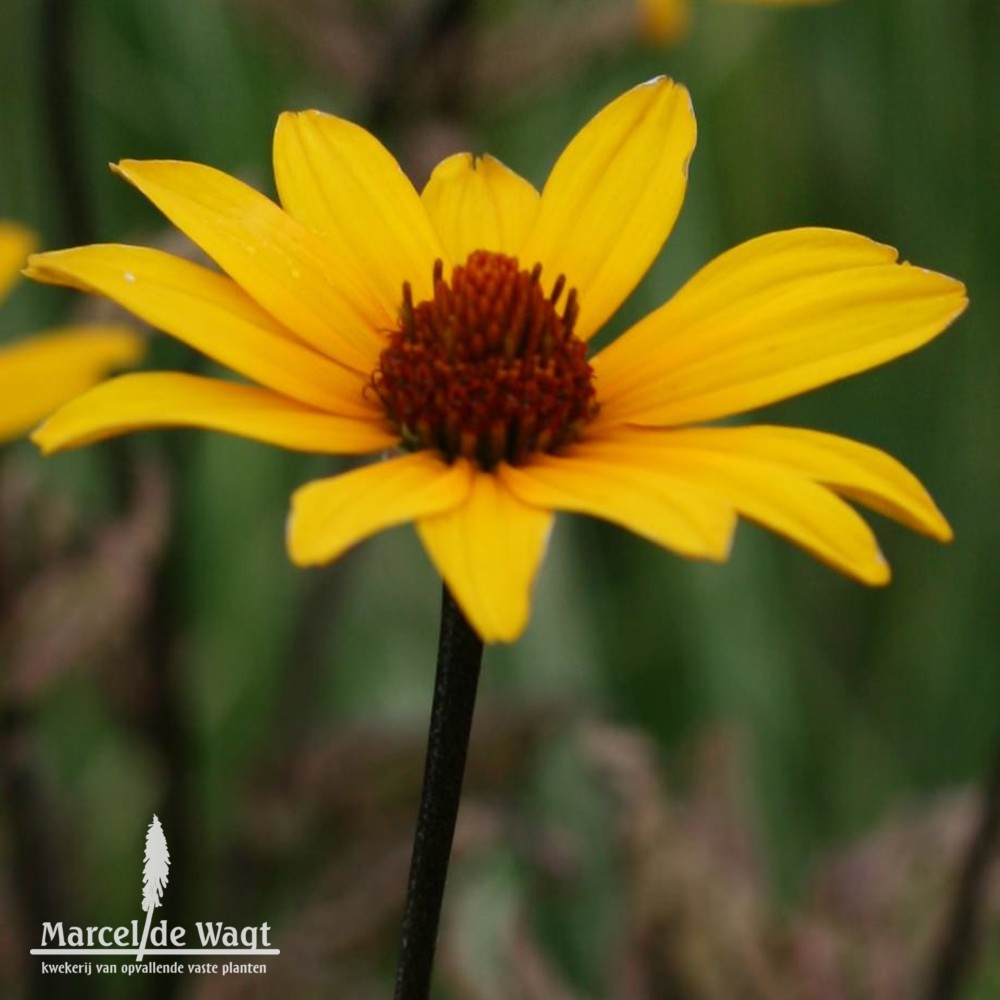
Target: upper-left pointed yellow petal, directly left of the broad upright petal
<point>289,270</point>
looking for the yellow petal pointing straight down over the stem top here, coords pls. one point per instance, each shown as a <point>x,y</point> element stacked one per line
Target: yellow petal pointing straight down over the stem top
<point>488,551</point>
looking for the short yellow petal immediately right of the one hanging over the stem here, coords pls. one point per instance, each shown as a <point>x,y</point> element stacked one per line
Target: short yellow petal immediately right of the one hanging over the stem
<point>642,498</point>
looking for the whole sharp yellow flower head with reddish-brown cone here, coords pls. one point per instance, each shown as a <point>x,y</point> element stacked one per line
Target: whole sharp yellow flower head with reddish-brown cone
<point>452,325</point>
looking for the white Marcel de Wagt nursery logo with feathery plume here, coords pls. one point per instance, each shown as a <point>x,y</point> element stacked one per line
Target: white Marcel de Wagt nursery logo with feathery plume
<point>213,937</point>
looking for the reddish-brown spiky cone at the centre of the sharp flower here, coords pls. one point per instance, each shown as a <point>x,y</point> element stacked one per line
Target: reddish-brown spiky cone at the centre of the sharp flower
<point>488,368</point>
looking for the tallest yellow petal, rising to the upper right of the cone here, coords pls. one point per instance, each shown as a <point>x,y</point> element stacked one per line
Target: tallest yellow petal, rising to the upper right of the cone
<point>612,198</point>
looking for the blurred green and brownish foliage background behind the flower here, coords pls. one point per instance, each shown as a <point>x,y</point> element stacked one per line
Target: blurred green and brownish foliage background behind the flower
<point>682,773</point>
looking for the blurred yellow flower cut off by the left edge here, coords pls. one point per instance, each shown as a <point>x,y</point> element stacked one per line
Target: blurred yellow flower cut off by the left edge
<point>41,373</point>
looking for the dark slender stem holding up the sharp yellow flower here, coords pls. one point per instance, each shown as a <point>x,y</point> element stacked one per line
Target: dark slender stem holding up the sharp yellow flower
<point>460,653</point>
